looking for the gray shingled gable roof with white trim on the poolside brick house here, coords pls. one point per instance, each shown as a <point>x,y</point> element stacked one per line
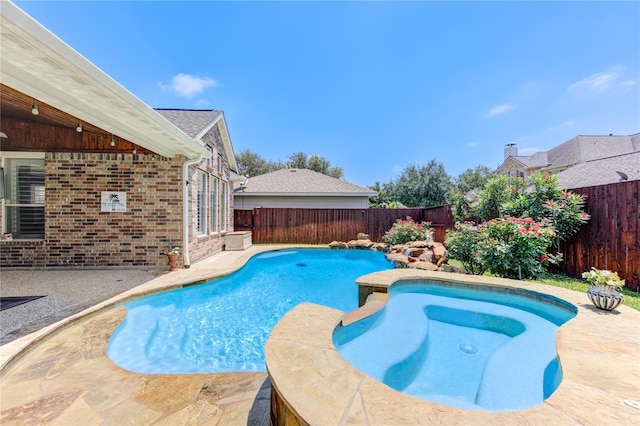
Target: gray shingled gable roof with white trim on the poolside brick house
<point>197,122</point>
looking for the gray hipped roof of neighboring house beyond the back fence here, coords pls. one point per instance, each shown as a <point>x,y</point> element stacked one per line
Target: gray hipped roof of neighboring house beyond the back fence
<point>300,182</point>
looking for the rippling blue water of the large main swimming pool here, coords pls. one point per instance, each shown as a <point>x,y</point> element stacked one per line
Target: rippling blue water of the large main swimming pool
<point>223,325</point>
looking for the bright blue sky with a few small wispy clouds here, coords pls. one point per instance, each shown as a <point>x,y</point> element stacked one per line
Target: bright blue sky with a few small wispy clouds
<point>373,86</point>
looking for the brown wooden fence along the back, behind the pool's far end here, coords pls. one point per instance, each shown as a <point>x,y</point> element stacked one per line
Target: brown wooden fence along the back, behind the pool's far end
<point>321,226</point>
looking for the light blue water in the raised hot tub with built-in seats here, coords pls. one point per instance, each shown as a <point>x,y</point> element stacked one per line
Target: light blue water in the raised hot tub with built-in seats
<point>460,347</point>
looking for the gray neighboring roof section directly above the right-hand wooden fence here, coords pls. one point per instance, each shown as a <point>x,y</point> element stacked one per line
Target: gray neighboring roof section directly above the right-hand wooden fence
<point>601,172</point>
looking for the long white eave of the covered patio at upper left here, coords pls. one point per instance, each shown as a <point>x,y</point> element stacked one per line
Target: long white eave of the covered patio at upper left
<point>35,62</point>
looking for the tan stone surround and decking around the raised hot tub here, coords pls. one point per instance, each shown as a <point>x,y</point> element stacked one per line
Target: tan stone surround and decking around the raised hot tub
<point>311,383</point>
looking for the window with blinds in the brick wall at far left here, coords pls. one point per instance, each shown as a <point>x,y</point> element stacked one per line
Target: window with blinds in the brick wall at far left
<point>24,204</point>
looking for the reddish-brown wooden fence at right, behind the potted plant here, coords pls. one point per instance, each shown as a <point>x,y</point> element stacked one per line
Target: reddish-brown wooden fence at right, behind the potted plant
<point>611,239</point>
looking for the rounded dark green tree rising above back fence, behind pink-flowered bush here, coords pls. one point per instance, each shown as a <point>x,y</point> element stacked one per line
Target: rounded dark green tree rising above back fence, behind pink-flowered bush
<point>424,186</point>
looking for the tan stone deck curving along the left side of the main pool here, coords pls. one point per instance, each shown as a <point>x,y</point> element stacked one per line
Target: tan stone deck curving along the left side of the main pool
<point>61,374</point>
